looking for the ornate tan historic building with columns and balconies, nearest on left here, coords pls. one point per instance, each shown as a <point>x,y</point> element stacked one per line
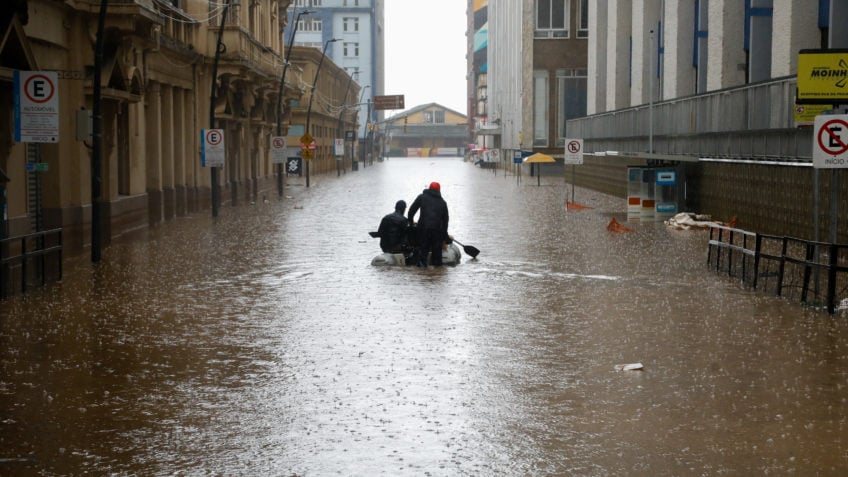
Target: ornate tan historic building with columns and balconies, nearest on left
<point>156,87</point>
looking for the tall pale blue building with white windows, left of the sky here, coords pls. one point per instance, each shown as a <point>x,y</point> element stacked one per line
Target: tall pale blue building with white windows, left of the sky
<point>357,25</point>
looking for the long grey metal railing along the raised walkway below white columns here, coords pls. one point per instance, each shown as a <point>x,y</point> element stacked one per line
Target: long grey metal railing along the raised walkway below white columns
<point>754,121</point>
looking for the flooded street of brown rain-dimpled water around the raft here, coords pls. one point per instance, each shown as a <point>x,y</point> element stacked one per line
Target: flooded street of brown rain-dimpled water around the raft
<point>264,343</point>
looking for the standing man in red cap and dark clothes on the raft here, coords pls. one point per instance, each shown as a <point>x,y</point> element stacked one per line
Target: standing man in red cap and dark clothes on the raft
<point>432,224</point>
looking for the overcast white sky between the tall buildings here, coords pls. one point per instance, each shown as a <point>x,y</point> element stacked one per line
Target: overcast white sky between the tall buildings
<point>425,52</point>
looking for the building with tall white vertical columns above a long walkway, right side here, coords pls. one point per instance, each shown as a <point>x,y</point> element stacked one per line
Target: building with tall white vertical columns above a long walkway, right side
<point>709,87</point>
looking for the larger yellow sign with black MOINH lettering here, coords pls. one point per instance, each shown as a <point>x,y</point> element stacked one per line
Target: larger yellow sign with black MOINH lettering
<point>822,76</point>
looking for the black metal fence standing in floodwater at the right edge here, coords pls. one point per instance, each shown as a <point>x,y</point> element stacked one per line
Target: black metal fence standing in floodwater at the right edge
<point>812,273</point>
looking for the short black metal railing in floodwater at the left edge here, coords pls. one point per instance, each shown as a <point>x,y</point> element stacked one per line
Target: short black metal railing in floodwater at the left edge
<point>28,259</point>
